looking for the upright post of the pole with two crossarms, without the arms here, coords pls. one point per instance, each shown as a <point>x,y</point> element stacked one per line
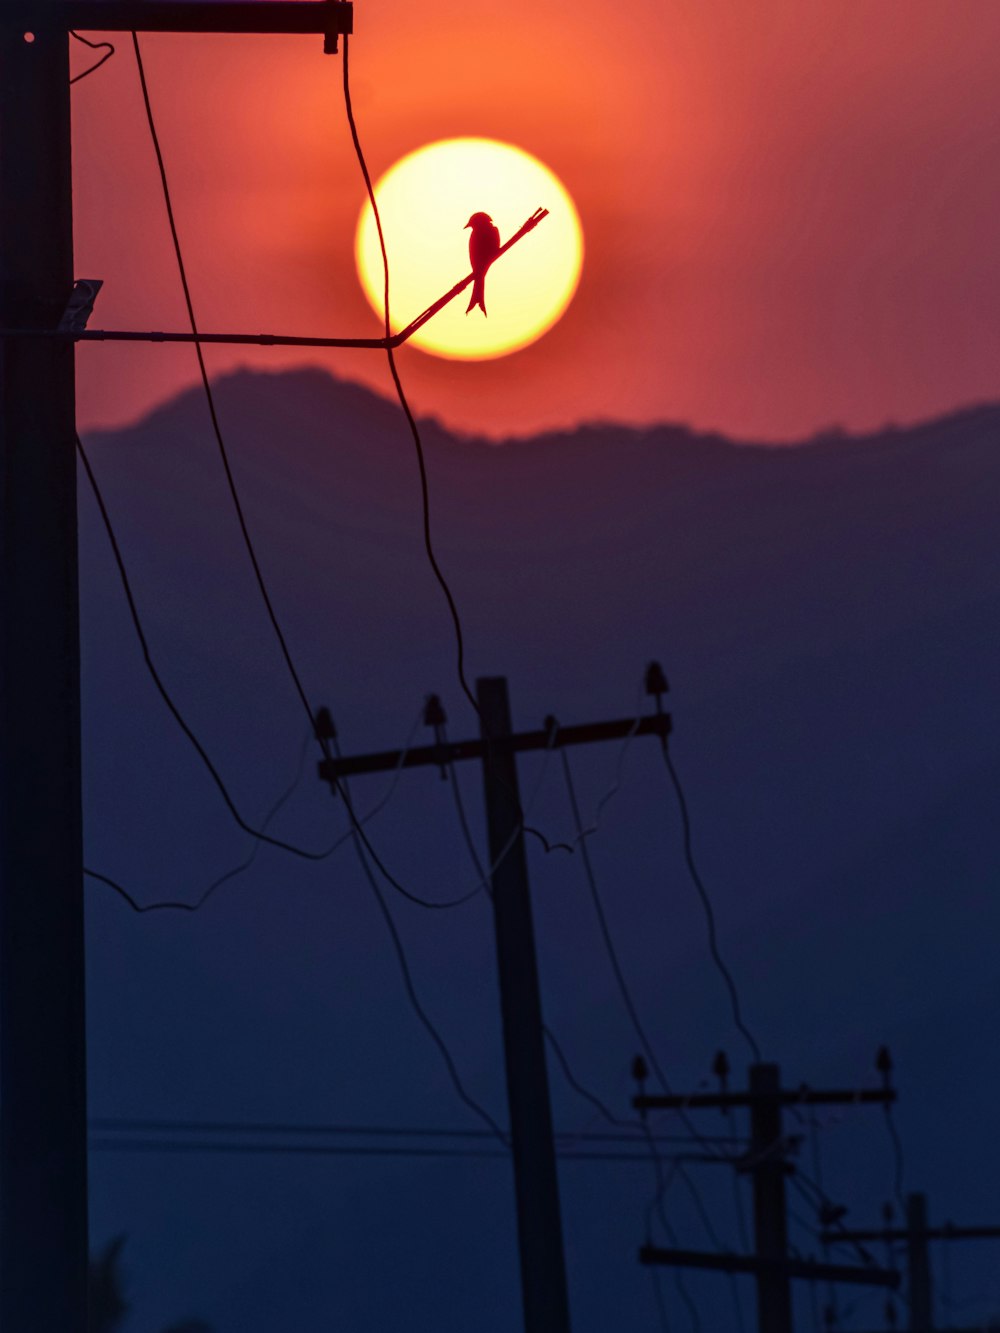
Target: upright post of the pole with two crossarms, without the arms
<point>770,1210</point>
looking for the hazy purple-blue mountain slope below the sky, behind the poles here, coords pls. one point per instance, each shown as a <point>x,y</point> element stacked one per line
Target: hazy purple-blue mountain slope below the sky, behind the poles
<point>827,615</point>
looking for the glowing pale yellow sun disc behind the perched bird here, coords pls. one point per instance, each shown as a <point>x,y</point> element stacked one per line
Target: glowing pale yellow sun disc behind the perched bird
<point>425,203</point>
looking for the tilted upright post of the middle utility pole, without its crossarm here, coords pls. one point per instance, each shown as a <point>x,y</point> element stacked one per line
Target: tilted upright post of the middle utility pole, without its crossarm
<point>539,1224</point>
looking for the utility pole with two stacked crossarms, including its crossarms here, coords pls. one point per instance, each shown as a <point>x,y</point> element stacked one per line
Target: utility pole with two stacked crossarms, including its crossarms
<point>767,1164</point>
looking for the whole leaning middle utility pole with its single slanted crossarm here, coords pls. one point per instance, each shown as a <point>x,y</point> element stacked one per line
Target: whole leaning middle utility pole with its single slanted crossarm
<point>537,1187</point>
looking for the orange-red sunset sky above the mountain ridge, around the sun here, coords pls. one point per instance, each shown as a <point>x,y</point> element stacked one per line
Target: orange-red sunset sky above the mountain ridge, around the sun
<point>790,209</point>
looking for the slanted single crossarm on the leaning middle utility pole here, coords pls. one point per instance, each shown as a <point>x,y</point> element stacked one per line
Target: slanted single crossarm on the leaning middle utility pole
<point>451,752</point>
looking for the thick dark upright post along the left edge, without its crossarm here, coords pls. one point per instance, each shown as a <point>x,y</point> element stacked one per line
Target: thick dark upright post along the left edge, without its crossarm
<point>43,1092</point>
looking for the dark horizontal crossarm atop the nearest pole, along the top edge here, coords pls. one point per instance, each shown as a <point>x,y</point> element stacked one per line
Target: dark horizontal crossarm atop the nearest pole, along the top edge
<point>273,18</point>
